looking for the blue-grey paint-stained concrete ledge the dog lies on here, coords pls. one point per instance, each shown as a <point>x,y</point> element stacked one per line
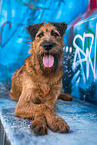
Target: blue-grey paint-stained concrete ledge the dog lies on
<point>81,116</point>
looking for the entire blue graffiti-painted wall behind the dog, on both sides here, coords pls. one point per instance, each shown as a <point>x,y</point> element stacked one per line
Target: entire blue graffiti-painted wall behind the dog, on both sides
<point>80,61</point>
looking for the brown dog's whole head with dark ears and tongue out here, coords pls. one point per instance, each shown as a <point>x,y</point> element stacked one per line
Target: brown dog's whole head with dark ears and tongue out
<point>48,44</point>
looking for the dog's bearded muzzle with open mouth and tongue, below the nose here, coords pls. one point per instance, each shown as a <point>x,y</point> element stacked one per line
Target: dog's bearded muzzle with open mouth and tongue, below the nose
<point>49,60</point>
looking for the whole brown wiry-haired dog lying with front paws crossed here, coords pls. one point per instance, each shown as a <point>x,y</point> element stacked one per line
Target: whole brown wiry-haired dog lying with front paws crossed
<point>38,83</point>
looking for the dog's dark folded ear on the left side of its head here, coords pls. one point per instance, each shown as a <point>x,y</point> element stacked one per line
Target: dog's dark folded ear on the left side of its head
<point>33,29</point>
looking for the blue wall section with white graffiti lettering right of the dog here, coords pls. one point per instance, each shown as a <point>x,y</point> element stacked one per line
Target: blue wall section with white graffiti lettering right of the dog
<point>80,57</point>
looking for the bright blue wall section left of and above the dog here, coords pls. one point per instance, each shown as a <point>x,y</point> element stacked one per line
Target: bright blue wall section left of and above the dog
<point>16,15</point>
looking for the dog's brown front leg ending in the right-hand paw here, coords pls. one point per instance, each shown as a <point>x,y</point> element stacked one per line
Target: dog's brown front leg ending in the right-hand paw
<point>54,122</point>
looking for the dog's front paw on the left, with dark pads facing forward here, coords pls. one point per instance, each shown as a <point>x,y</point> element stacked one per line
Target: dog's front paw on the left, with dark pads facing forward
<point>38,127</point>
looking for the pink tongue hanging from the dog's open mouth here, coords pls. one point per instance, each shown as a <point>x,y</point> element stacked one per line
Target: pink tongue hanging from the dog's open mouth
<point>48,60</point>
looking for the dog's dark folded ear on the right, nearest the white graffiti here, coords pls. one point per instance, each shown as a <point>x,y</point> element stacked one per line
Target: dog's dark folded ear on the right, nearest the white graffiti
<point>61,27</point>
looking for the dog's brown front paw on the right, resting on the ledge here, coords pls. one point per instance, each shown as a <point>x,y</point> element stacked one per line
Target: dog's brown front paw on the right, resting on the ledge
<point>59,125</point>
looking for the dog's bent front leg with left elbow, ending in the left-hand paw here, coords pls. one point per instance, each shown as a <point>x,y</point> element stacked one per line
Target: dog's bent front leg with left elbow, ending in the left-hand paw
<point>27,109</point>
